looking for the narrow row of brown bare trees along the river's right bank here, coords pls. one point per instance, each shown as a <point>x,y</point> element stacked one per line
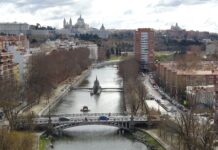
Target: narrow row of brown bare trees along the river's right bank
<point>134,88</point>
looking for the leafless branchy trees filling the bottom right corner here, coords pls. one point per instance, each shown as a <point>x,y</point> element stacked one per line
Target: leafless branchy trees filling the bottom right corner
<point>188,132</point>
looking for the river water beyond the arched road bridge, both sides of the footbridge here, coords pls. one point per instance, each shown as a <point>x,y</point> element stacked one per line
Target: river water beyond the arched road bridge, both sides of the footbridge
<point>106,102</point>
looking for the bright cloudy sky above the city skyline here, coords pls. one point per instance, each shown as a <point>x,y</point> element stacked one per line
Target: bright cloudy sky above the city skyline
<point>122,14</point>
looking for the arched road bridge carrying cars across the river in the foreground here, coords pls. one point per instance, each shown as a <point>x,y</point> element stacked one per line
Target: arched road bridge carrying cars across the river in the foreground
<point>121,121</point>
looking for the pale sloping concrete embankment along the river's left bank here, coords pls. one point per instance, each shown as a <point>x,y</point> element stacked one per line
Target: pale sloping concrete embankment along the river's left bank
<point>64,91</point>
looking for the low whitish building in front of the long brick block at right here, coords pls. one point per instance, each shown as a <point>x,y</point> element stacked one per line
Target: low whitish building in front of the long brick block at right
<point>201,95</point>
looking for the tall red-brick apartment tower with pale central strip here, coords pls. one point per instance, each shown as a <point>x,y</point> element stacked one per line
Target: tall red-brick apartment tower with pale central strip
<point>144,47</point>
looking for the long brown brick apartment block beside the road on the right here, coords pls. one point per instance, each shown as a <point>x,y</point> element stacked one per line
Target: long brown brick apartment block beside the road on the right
<point>174,80</point>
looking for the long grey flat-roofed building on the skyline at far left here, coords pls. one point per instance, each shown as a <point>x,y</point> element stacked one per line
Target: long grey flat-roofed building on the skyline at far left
<point>14,28</point>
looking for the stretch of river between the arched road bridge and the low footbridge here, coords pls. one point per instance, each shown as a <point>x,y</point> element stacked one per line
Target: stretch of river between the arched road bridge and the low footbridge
<point>105,103</point>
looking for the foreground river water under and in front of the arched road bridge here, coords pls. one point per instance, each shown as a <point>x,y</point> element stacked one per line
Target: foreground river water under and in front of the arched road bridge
<point>97,138</point>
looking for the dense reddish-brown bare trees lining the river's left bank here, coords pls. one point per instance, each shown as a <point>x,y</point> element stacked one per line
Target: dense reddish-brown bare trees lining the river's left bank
<point>46,71</point>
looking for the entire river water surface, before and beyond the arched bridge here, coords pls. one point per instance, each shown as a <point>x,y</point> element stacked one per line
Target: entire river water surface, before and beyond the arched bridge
<point>95,137</point>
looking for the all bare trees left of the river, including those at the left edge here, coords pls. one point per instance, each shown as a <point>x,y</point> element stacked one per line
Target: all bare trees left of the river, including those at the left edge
<point>44,73</point>
